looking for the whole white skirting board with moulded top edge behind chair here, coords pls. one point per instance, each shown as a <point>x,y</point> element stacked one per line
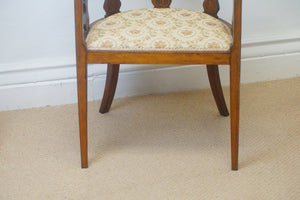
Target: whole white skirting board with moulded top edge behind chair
<point>38,83</point>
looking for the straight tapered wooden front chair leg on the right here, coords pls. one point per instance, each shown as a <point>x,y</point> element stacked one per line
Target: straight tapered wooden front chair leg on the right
<point>234,110</point>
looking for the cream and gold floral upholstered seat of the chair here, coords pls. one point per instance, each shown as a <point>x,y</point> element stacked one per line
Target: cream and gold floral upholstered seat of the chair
<point>160,29</point>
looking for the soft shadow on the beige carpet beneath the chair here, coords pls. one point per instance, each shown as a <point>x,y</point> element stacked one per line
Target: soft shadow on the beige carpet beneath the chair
<point>178,124</point>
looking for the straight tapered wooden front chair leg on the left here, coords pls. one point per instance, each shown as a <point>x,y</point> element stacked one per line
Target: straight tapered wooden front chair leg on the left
<point>82,109</point>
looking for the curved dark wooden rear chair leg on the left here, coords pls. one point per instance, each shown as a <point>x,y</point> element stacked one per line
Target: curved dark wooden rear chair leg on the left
<point>110,87</point>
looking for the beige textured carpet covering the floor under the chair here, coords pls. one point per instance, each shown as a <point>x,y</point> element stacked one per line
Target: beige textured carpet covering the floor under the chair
<point>169,146</point>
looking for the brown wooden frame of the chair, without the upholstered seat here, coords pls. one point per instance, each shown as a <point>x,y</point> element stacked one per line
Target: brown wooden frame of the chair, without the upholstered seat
<point>115,58</point>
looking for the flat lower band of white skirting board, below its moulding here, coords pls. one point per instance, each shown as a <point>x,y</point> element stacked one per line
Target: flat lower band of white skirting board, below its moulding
<point>160,80</point>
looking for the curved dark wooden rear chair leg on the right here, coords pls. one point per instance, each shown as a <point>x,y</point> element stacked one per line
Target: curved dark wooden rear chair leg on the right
<point>216,88</point>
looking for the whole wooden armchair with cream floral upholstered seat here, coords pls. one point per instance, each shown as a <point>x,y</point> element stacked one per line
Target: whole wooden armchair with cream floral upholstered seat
<point>160,35</point>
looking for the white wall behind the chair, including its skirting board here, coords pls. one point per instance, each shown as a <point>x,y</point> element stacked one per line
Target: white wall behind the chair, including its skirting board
<point>37,51</point>
